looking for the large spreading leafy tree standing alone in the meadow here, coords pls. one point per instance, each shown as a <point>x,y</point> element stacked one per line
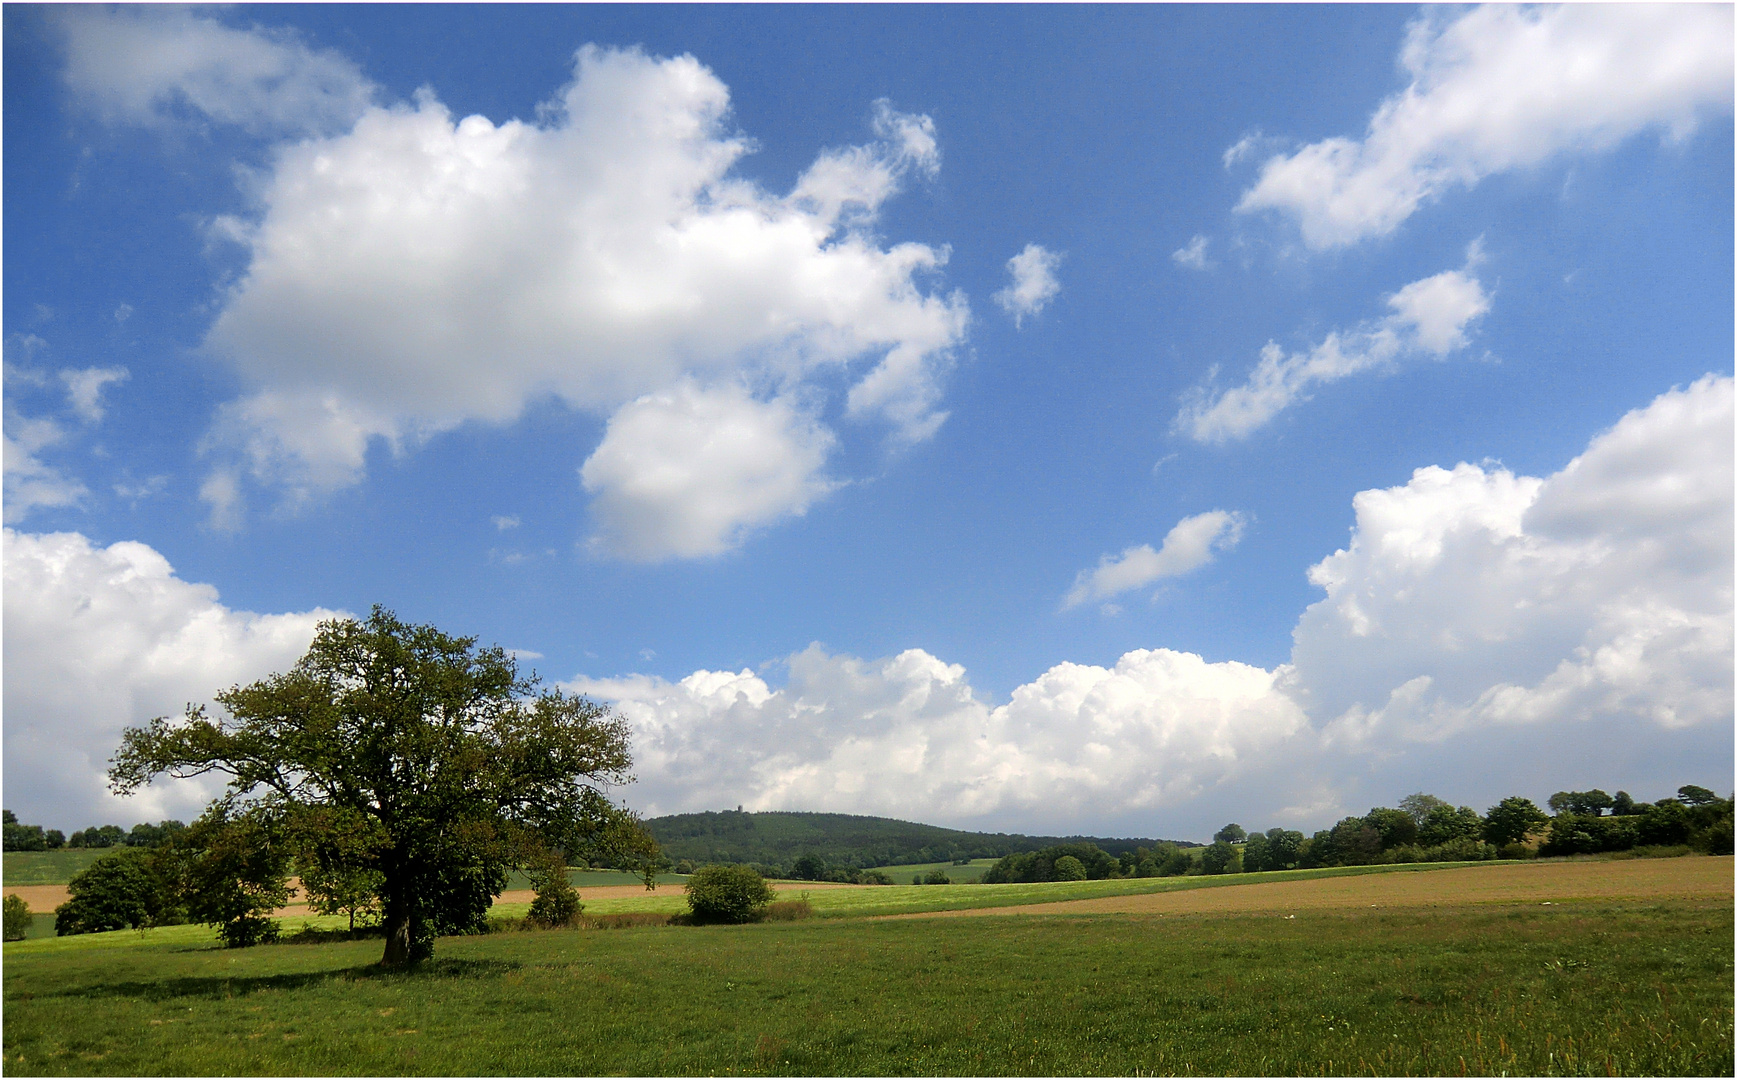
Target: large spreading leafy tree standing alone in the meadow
<point>442,765</point>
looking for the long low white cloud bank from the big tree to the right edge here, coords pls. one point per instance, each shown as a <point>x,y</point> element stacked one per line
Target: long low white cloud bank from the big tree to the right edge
<point>1483,633</point>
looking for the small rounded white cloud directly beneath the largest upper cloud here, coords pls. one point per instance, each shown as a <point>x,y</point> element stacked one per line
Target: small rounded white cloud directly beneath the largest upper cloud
<point>689,473</point>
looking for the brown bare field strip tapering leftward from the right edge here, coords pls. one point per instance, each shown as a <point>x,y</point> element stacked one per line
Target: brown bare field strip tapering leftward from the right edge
<point>1512,883</point>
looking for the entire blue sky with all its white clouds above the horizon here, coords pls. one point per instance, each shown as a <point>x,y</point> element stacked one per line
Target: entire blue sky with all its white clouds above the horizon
<point>942,412</point>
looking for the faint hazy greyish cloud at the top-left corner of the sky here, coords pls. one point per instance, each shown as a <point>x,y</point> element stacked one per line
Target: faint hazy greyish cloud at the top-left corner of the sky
<point>162,65</point>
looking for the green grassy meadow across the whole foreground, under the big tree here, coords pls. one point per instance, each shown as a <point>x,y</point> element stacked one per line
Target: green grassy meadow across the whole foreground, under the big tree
<point>1635,989</point>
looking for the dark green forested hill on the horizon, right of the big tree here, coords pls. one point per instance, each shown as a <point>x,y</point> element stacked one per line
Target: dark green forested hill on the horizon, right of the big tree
<point>779,838</point>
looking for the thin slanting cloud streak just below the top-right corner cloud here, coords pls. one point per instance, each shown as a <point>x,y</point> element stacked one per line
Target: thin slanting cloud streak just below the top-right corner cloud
<point>1427,317</point>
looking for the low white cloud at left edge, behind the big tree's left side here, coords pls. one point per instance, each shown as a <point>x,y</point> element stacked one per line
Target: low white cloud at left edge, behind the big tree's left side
<point>105,638</point>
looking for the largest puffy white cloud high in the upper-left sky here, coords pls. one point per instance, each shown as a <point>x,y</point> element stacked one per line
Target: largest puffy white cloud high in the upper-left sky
<point>421,272</point>
